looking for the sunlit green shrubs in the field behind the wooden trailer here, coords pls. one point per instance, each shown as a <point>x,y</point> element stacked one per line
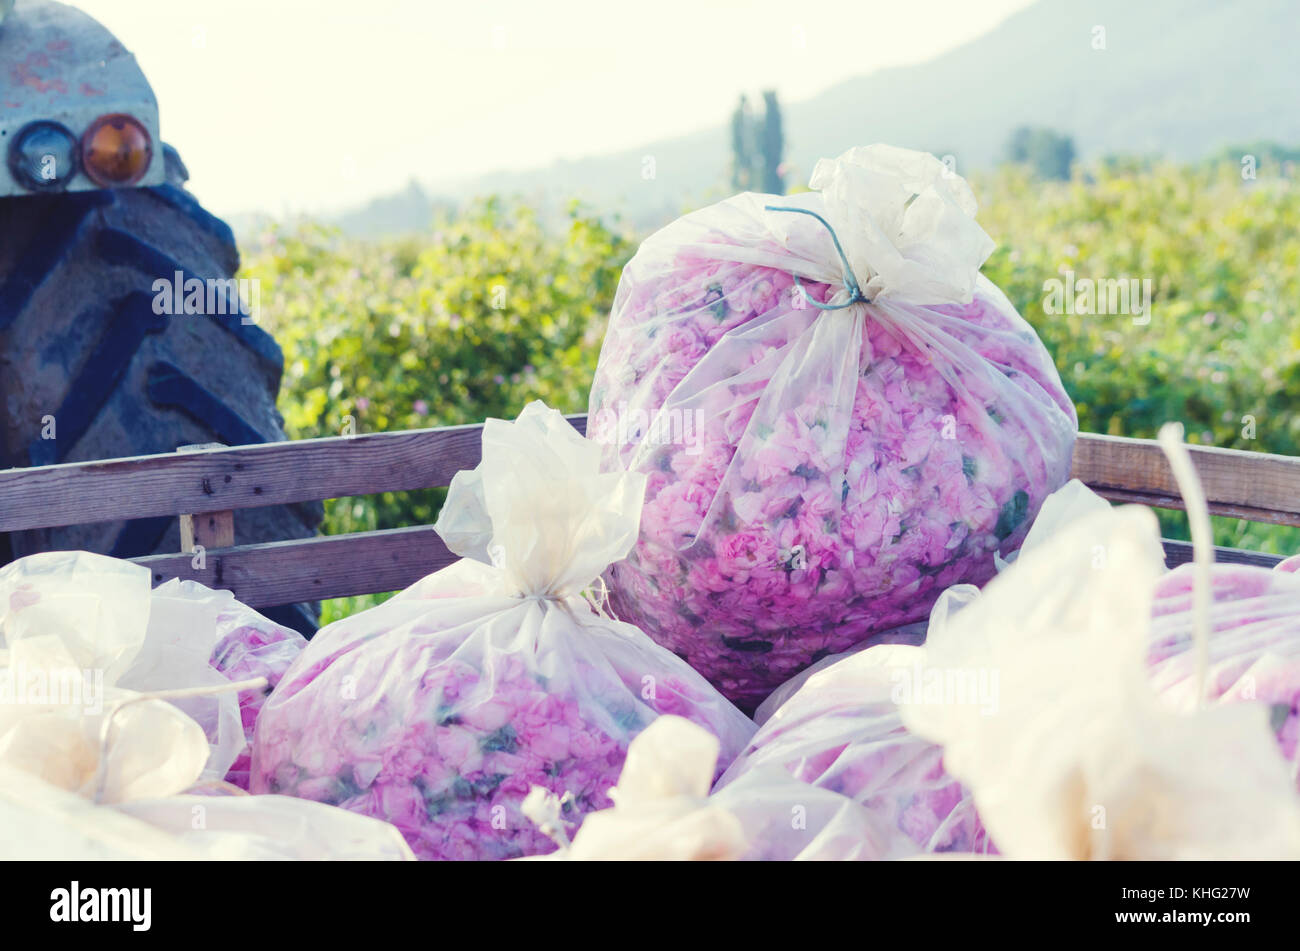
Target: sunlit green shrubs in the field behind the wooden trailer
<point>491,309</point>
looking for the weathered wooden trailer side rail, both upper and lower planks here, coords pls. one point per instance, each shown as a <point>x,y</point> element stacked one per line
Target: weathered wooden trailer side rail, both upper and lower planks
<point>205,487</point>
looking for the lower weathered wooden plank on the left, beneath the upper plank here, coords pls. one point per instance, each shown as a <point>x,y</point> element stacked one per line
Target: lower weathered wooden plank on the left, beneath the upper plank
<point>311,570</point>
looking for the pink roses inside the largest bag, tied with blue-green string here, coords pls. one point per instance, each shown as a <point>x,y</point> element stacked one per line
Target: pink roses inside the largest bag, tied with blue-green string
<point>782,527</point>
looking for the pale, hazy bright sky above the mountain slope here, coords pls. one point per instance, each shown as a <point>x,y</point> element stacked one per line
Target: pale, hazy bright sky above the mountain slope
<point>310,106</point>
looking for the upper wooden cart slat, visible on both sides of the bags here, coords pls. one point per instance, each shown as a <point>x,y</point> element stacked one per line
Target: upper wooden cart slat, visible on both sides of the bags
<point>1238,484</point>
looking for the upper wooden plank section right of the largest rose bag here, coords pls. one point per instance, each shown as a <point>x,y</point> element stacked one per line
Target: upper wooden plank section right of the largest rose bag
<point>1242,485</point>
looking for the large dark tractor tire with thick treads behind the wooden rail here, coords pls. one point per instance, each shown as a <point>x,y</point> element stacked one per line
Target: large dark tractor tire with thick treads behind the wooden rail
<point>86,361</point>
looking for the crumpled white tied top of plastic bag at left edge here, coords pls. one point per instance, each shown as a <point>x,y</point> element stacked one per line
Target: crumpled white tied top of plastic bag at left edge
<point>84,636</point>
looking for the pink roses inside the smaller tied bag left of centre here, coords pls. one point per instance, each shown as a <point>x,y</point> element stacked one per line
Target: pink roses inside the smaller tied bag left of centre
<point>448,757</point>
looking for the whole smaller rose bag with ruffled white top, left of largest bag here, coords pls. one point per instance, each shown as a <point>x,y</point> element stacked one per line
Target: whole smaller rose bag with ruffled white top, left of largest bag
<point>441,709</point>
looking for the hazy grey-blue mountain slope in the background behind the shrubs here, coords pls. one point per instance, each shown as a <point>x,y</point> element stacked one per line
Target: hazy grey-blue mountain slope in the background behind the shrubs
<point>1181,79</point>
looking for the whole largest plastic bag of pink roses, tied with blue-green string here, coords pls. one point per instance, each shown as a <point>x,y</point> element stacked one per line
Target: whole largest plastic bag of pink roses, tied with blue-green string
<point>837,415</point>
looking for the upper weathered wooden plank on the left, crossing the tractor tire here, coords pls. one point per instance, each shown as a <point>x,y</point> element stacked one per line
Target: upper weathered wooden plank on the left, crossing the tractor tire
<point>239,477</point>
